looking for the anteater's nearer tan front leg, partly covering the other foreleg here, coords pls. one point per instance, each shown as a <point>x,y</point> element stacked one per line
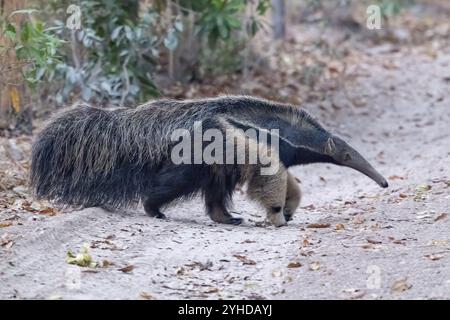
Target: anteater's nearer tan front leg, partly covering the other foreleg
<point>270,192</point>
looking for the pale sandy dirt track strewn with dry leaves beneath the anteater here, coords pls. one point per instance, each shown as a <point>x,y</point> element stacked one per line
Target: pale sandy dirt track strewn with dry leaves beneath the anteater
<point>350,239</point>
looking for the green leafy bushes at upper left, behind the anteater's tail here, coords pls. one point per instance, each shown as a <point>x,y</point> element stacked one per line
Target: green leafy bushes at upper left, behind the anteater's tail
<point>113,57</point>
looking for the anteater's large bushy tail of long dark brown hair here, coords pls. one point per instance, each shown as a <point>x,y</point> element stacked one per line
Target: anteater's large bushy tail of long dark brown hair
<point>90,156</point>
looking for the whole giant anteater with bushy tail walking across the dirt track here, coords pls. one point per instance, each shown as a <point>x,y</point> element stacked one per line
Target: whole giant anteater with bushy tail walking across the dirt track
<point>90,156</point>
